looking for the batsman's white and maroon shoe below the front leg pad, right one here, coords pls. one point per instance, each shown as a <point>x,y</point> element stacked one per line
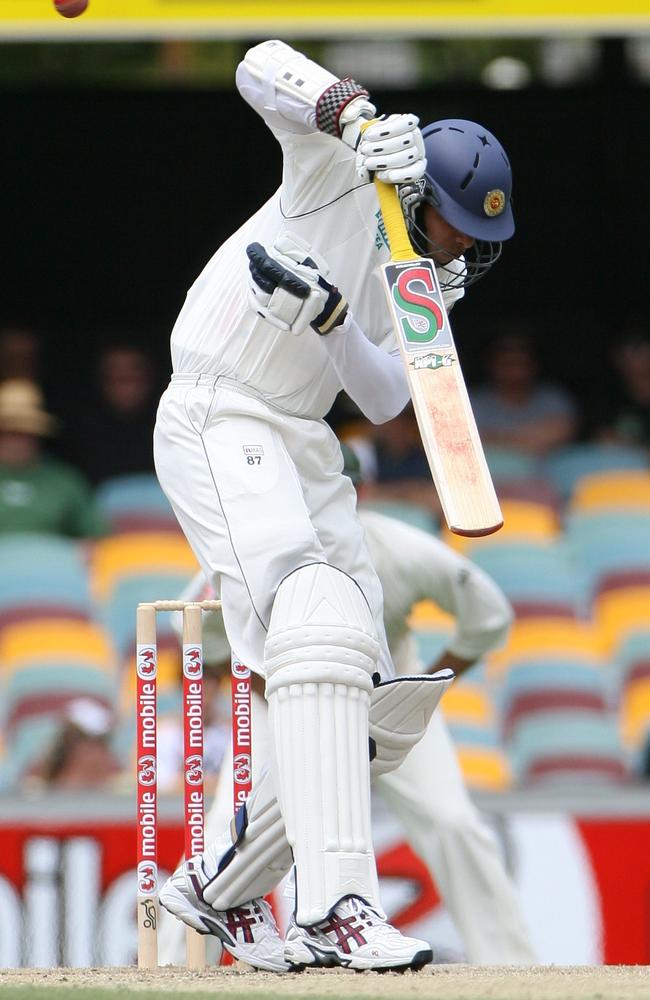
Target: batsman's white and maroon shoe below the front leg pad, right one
<point>356,937</point>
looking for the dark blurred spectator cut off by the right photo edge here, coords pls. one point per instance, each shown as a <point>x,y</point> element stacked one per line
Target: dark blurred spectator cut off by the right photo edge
<point>625,414</point>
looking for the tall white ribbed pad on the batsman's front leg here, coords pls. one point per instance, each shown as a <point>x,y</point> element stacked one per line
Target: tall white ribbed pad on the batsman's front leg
<point>321,652</point>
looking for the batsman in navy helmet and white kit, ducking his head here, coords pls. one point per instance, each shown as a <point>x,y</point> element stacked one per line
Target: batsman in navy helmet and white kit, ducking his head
<point>286,314</point>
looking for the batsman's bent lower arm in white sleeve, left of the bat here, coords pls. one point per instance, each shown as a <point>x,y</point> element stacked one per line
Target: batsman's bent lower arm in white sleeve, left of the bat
<point>374,379</point>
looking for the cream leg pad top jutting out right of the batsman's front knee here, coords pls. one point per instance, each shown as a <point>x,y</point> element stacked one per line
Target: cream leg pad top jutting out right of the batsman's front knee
<point>399,715</point>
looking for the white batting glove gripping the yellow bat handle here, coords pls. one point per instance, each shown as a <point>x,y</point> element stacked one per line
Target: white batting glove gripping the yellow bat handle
<point>392,149</point>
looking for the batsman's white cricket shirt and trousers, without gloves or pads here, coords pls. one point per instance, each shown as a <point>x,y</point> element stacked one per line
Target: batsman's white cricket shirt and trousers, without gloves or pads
<point>250,467</point>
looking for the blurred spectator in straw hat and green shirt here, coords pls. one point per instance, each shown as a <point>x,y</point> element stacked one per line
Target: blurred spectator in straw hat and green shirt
<point>38,493</point>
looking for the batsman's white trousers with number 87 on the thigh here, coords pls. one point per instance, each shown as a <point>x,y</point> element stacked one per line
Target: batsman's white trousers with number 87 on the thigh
<point>258,493</point>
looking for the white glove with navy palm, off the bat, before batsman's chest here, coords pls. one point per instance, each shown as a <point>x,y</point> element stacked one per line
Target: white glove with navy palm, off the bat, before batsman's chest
<point>288,290</point>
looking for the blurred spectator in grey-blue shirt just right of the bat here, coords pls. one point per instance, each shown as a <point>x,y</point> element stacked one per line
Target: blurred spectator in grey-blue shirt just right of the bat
<point>515,408</point>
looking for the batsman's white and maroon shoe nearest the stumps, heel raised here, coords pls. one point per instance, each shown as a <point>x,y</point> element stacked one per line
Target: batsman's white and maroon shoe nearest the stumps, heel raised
<point>249,932</point>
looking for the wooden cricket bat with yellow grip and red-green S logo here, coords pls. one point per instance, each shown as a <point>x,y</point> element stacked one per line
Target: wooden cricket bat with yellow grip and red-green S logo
<point>440,400</point>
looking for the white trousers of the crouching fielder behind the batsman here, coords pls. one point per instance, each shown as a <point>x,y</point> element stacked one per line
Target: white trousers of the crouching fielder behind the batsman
<point>427,794</point>
